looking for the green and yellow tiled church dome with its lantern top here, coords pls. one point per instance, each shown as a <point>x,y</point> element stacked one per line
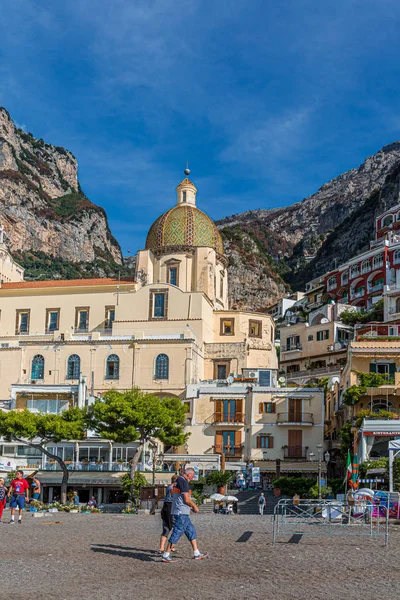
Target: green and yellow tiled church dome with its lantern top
<point>184,225</point>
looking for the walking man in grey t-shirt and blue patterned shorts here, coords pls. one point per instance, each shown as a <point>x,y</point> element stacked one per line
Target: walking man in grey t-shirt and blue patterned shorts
<point>182,504</point>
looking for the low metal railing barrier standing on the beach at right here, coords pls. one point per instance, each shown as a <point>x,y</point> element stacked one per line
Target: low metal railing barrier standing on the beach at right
<point>331,517</point>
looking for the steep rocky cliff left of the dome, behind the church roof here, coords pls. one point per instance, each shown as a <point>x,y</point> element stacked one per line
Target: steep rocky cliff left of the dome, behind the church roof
<point>43,210</point>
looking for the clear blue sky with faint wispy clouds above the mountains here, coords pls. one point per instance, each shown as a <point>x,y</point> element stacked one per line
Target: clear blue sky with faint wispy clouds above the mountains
<point>266,100</point>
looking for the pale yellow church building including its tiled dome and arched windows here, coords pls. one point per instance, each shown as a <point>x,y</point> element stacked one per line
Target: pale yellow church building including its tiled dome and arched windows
<point>168,327</point>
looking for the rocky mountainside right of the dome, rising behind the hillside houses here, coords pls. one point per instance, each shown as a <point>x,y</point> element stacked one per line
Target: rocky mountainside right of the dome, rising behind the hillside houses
<point>306,239</point>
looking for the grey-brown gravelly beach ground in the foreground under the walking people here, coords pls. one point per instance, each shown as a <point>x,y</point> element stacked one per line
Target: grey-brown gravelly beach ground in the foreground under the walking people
<point>85,557</point>
